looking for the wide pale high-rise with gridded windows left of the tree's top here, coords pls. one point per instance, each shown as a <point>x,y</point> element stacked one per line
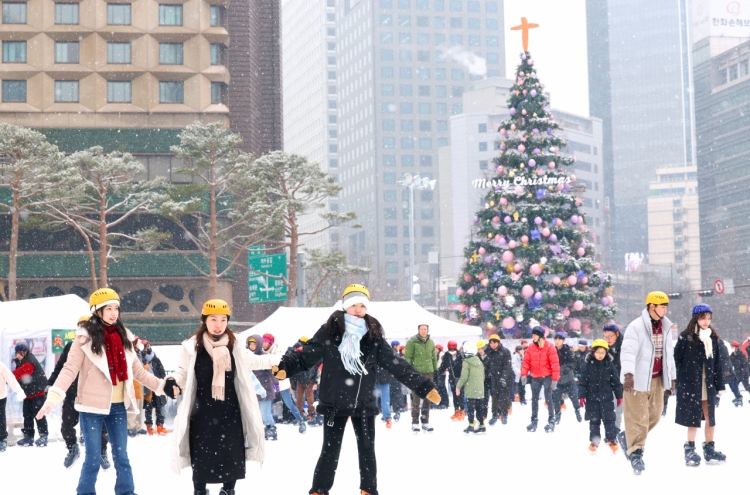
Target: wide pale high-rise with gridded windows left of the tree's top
<point>403,66</point>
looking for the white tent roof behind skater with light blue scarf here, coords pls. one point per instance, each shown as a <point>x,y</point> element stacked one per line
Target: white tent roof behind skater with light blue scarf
<point>399,319</point>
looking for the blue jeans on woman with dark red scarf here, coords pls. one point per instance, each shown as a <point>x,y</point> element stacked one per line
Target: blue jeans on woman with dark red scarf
<point>117,429</point>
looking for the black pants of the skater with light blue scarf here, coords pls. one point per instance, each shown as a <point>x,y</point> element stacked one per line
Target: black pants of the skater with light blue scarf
<point>325,470</point>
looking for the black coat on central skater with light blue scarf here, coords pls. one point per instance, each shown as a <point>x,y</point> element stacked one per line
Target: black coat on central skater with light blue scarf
<point>344,394</point>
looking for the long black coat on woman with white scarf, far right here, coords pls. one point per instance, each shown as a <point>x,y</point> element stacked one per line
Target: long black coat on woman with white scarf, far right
<point>690,363</point>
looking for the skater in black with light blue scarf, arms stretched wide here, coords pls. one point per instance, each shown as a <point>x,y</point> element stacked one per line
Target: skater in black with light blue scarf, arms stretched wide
<point>352,346</point>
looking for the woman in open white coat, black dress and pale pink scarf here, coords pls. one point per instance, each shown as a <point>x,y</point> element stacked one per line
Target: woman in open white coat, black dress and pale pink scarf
<point>218,425</point>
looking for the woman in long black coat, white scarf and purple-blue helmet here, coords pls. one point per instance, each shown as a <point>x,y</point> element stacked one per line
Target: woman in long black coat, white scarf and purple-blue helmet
<point>699,377</point>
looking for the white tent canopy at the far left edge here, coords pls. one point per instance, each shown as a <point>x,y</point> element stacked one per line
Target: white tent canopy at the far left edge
<point>34,320</point>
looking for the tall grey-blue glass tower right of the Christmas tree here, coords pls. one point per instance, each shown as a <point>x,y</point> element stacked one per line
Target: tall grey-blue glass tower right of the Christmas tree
<point>639,79</point>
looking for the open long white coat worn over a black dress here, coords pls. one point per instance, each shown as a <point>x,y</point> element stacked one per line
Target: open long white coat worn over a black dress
<point>252,424</point>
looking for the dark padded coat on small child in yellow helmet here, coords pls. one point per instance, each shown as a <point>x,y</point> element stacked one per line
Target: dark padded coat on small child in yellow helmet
<point>599,384</point>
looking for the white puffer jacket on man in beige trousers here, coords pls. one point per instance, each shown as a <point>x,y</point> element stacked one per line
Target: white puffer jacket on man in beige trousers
<point>637,353</point>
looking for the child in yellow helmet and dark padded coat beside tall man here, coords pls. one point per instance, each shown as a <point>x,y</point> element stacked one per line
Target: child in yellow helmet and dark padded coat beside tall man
<point>598,383</point>
